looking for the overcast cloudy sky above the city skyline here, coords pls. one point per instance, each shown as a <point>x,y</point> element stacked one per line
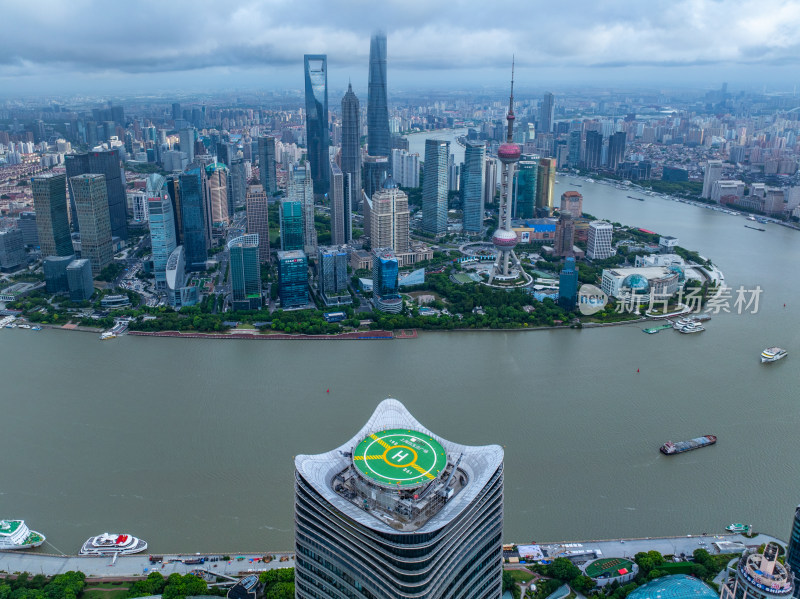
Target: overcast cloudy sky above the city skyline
<point>95,47</point>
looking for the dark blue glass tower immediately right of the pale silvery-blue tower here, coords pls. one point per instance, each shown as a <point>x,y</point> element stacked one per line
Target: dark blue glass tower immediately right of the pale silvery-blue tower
<point>196,238</point>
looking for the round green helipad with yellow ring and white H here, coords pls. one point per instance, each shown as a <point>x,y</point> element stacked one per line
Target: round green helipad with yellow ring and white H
<point>400,458</point>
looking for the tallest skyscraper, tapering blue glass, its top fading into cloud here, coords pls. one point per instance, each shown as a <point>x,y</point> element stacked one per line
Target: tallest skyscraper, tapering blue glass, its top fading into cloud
<point>378,136</point>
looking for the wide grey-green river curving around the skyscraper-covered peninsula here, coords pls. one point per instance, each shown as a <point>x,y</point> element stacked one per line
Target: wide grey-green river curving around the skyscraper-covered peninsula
<point>190,443</point>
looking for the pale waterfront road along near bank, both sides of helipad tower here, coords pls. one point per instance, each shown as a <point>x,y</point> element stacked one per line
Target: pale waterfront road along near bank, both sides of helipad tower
<point>14,562</point>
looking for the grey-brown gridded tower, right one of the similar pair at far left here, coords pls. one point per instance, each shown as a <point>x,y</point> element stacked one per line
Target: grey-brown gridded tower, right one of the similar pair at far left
<point>91,204</point>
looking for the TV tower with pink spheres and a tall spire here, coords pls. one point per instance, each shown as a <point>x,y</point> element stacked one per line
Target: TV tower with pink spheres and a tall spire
<point>504,238</point>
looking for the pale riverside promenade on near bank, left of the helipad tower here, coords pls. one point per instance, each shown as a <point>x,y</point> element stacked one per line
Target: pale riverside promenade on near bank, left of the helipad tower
<point>12,562</point>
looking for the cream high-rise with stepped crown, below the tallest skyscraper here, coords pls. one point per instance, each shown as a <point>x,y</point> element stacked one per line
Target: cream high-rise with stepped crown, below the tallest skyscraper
<point>389,218</point>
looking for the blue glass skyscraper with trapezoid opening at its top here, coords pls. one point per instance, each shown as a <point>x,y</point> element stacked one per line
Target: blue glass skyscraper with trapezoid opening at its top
<point>316,71</point>
